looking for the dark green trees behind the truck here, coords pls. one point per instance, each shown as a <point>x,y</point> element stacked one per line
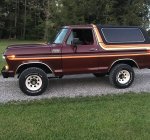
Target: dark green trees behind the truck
<point>40,19</point>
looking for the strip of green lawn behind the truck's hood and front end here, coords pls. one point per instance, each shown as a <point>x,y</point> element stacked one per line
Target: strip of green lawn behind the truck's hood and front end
<point>5,43</point>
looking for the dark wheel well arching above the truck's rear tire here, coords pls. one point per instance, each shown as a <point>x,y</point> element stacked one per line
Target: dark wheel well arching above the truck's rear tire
<point>131,63</point>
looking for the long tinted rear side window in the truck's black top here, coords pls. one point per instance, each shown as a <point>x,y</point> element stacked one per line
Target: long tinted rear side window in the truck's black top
<point>122,35</point>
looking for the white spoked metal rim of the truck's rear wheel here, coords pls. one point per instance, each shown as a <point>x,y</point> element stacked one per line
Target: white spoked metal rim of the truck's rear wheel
<point>123,77</point>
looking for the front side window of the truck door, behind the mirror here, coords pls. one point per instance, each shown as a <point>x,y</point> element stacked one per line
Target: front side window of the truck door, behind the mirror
<point>84,35</point>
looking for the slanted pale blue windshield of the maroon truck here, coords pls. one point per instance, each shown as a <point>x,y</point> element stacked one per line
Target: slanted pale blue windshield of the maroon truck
<point>60,36</point>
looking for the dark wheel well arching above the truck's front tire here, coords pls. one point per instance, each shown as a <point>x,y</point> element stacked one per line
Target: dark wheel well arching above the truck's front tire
<point>42,66</point>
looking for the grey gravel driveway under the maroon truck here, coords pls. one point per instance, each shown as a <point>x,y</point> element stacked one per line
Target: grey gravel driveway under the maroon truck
<point>72,86</point>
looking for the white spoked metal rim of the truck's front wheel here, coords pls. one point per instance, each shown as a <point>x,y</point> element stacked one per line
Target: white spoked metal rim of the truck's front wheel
<point>33,82</point>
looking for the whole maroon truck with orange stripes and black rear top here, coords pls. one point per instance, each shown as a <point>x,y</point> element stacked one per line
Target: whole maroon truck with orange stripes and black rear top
<point>101,50</point>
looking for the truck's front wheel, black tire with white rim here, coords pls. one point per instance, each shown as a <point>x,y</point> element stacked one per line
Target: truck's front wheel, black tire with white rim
<point>33,81</point>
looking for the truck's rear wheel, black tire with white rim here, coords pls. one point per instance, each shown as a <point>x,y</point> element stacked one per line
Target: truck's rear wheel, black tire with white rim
<point>121,76</point>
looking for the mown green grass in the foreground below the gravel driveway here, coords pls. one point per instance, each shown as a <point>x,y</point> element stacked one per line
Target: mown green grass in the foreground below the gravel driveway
<point>118,117</point>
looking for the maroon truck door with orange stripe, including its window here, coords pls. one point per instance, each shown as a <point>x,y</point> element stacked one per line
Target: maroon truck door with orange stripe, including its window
<point>82,58</point>
